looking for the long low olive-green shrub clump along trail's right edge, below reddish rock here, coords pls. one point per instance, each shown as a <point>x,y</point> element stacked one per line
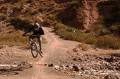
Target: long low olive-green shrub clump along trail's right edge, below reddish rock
<point>70,33</point>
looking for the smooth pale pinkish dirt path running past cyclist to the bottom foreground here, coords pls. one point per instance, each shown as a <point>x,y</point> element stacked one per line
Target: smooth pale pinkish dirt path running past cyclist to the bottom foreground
<point>54,51</point>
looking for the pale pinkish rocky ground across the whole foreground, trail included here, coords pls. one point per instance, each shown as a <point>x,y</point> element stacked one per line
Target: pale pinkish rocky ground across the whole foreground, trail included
<point>62,59</point>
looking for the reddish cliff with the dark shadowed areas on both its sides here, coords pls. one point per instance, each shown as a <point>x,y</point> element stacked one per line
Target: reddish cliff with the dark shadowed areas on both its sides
<point>83,14</point>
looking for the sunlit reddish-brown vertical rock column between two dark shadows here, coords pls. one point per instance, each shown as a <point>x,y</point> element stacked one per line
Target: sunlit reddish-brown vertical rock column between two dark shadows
<point>89,13</point>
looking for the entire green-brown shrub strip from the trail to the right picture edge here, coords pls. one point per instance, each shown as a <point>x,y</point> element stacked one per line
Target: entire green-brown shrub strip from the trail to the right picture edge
<point>70,33</point>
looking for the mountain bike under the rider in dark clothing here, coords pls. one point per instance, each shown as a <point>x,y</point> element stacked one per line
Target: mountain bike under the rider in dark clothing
<point>35,45</point>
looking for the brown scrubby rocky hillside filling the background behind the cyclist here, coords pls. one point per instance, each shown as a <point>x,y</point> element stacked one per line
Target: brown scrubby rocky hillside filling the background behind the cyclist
<point>98,16</point>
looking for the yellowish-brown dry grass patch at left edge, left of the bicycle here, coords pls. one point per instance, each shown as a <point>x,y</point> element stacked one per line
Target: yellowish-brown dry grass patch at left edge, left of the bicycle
<point>12,39</point>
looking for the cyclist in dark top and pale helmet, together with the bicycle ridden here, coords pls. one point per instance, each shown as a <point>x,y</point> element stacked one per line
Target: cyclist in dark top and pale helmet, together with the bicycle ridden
<point>34,38</point>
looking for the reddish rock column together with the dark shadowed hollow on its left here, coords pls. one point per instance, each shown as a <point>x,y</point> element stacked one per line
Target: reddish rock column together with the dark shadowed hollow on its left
<point>81,14</point>
